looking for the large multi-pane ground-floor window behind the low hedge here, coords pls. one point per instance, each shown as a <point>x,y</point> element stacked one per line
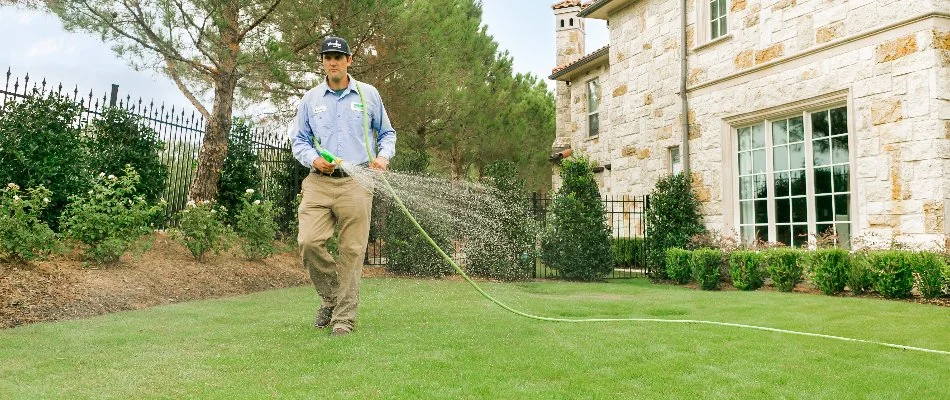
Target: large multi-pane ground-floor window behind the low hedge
<point>794,178</point>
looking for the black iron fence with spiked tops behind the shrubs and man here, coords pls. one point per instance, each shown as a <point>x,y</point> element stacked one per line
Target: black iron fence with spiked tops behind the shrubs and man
<point>183,131</point>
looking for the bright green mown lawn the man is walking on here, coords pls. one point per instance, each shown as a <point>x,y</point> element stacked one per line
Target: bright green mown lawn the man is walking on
<point>439,339</point>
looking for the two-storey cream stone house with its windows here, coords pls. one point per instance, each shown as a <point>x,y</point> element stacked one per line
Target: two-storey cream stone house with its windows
<point>801,115</point>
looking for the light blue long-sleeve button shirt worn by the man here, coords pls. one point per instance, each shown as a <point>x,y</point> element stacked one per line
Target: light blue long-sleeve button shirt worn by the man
<point>336,121</point>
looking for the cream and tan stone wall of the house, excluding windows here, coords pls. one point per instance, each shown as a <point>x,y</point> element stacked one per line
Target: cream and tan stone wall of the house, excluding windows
<point>897,83</point>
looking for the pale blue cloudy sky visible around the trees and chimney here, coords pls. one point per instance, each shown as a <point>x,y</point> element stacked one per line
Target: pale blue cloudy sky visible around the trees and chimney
<point>36,43</point>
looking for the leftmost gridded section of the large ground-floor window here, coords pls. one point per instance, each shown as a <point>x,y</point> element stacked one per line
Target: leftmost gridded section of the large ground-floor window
<point>753,187</point>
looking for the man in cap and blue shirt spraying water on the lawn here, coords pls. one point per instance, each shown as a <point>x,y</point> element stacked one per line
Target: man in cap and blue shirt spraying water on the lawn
<point>330,116</point>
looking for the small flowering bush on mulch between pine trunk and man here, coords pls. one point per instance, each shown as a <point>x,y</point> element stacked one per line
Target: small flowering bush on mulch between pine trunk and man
<point>256,227</point>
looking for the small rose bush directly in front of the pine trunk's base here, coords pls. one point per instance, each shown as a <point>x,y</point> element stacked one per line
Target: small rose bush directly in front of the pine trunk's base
<point>201,229</point>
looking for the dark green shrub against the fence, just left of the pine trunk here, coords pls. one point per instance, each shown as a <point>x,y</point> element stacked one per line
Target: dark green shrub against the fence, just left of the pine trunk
<point>119,138</point>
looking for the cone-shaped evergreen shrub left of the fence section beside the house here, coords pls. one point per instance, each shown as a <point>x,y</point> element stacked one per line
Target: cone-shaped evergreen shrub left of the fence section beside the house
<point>577,239</point>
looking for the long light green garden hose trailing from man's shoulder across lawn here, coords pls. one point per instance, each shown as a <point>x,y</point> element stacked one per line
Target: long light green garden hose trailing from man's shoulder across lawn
<point>405,210</point>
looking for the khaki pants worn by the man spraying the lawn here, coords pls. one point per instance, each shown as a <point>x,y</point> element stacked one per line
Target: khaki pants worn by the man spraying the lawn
<point>327,202</point>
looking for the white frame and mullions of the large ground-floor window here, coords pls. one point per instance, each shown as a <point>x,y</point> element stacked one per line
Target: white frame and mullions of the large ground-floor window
<point>804,109</point>
